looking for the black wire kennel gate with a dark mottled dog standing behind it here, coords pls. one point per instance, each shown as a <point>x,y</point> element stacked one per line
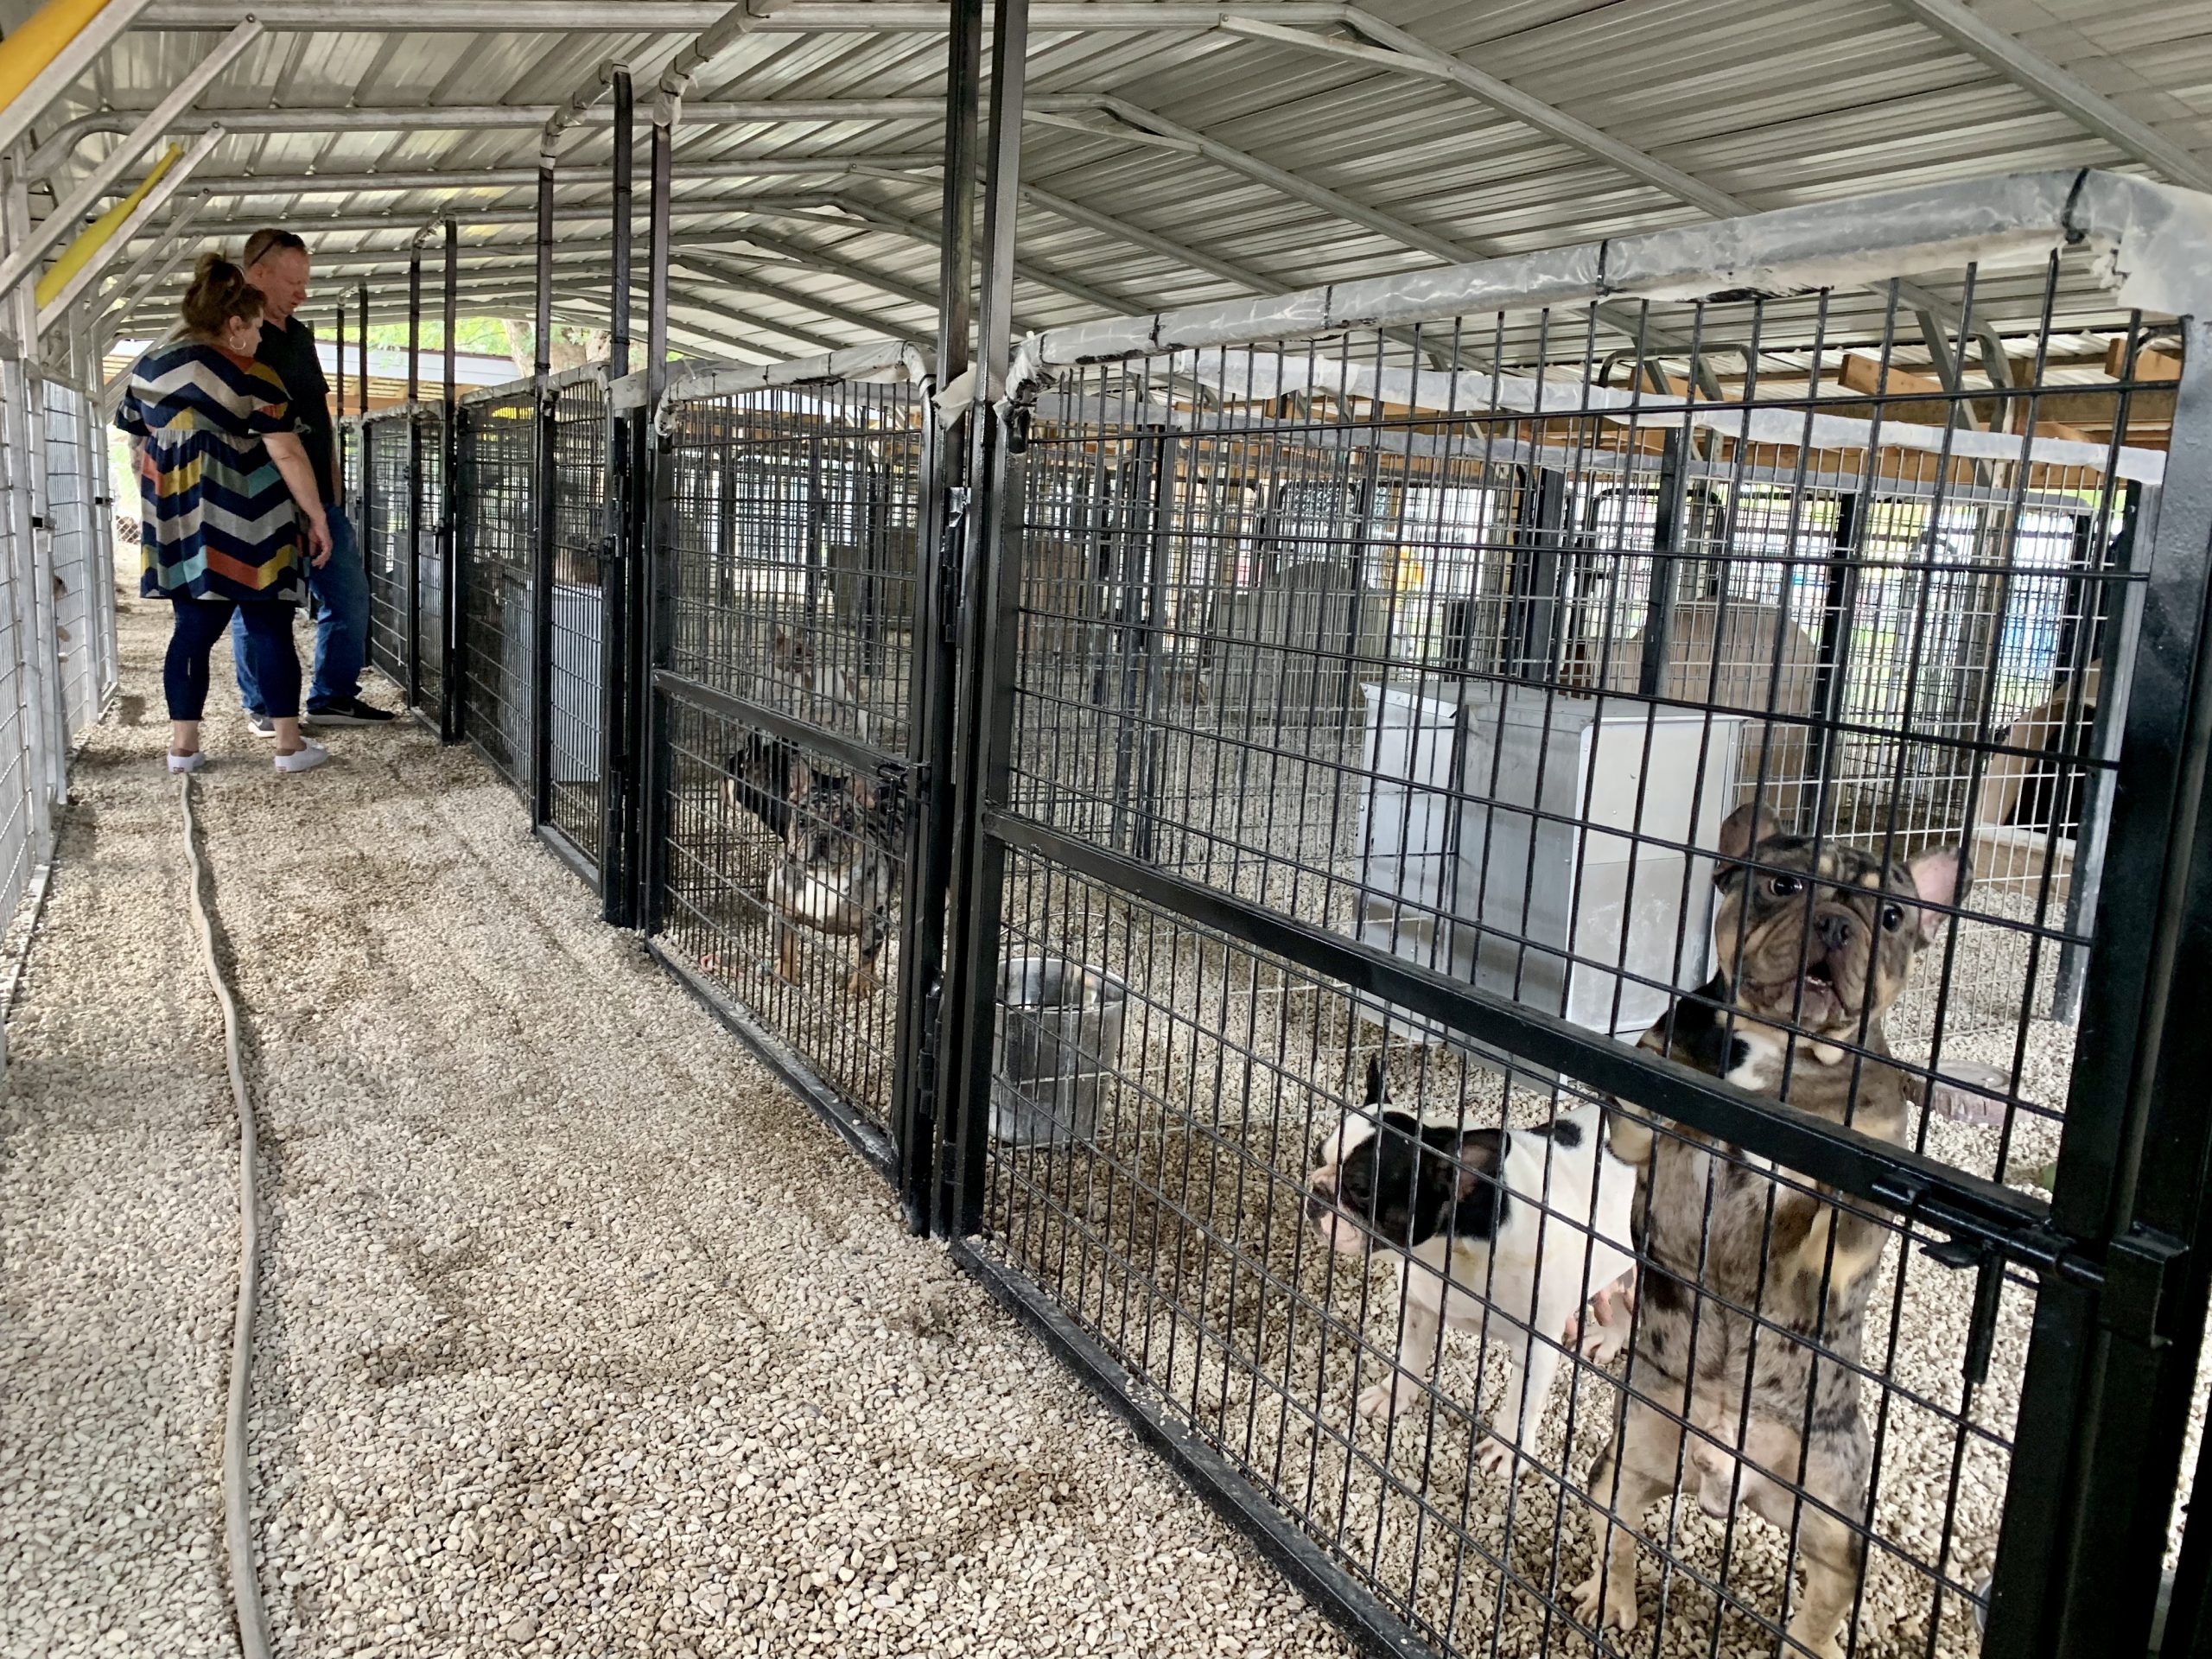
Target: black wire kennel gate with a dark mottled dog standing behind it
<point>789,645</point>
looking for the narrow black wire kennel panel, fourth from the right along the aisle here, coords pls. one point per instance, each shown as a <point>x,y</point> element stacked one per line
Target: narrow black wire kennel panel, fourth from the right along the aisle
<point>497,497</point>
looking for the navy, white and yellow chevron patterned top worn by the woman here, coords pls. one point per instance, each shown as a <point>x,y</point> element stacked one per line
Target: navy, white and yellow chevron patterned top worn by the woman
<point>218,517</point>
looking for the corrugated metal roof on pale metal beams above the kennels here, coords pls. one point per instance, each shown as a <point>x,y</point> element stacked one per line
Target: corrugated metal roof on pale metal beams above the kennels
<point>1176,154</point>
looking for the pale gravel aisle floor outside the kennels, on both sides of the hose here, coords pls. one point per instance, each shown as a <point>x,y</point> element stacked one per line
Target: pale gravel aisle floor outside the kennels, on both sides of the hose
<point>581,1333</point>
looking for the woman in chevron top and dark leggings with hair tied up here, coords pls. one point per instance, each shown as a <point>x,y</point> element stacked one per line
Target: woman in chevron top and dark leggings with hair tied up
<point>218,452</point>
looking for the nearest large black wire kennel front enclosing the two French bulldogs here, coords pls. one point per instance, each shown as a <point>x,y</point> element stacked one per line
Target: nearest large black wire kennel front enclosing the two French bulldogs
<point>2025,1366</point>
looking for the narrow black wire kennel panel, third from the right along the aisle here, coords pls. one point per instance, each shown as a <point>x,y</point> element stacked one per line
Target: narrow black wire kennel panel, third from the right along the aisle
<point>576,720</point>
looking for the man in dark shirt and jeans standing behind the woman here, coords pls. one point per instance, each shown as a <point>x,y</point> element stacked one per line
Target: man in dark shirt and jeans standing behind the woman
<point>278,264</point>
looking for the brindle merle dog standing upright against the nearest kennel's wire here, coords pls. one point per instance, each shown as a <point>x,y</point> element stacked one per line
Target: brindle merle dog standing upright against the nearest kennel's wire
<point>1815,946</point>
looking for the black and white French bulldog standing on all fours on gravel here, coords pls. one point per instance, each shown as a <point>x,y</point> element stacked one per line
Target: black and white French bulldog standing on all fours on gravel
<point>1521,1227</point>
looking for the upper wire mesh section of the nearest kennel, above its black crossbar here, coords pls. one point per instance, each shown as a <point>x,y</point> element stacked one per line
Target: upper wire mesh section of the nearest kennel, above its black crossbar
<point>1399,676</point>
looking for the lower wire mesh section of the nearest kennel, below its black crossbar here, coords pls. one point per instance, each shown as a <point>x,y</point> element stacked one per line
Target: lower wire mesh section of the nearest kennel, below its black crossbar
<point>1160,1193</point>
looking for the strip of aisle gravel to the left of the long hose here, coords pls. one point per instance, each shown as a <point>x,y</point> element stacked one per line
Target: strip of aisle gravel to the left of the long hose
<point>118,1235</point>
